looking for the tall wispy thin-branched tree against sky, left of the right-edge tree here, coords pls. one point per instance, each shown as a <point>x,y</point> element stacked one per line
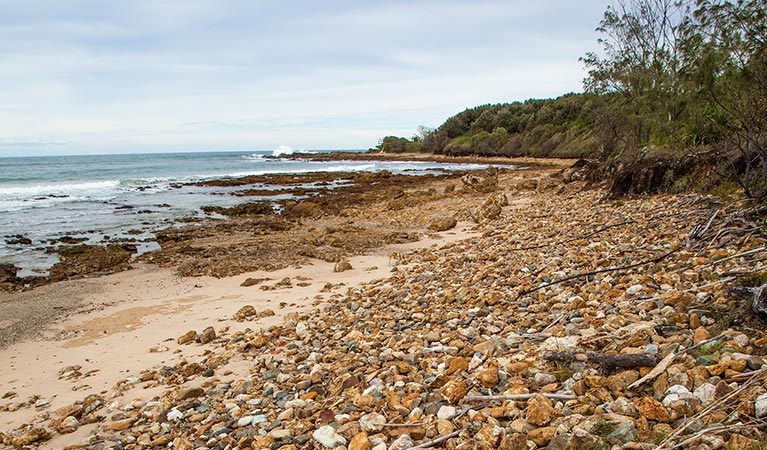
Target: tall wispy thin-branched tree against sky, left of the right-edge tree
<point>641,65</point>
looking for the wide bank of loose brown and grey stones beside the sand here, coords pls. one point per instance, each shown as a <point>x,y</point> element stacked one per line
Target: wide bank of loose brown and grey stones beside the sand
<point>568,321</point>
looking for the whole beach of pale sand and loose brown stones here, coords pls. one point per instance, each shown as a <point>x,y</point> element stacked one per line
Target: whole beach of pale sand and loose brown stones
<point>456,344</point>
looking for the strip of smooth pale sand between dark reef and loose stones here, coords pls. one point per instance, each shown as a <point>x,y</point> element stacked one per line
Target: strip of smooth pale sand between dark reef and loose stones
<point>129,313</point>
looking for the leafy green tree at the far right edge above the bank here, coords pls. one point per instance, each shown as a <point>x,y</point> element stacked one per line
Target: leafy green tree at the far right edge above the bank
<point>725,44</point>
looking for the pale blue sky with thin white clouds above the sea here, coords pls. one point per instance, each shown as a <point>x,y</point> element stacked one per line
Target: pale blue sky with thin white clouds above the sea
<point>124,76</point>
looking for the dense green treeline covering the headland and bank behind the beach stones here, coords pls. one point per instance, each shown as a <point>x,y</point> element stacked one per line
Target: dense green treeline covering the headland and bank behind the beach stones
<point>686,78</point>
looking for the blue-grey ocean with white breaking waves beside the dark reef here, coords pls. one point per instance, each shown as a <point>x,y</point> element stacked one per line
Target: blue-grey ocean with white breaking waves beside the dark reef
<point>107,198</point>
